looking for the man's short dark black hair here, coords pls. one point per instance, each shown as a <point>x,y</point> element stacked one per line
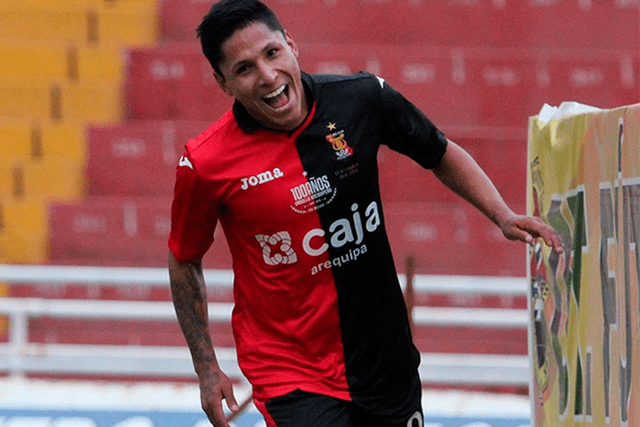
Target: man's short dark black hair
<point>227,16</point>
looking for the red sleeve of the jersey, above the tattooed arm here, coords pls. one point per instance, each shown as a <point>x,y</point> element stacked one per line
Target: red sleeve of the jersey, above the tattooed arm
<point>194,213</point>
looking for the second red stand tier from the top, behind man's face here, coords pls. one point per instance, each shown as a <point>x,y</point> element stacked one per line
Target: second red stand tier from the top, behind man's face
<point>474,86</point>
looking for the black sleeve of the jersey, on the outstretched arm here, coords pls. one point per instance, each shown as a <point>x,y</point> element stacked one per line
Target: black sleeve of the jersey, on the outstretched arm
<point>412,133</point>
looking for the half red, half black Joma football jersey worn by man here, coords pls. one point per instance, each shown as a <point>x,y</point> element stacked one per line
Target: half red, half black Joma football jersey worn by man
<point>318,306</point>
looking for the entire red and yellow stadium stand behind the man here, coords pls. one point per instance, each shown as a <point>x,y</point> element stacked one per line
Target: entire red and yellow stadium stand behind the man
<point>100,96</point>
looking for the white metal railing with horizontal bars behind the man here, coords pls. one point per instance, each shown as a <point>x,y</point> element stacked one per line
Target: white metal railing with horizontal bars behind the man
<point>18,356</point>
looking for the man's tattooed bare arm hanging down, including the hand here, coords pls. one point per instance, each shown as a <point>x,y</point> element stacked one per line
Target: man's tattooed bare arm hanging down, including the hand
<point>189,294</point>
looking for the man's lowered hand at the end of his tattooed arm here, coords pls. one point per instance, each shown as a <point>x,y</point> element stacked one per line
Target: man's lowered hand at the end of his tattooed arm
<point>214,387</point>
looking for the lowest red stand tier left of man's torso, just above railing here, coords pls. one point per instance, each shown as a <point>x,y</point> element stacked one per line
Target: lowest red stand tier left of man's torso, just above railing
<point>123,231</point>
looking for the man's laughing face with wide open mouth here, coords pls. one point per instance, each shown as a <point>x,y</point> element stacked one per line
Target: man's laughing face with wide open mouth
<point>260,69</point>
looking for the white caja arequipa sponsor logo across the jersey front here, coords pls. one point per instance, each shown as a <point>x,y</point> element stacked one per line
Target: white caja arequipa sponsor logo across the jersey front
<point>346,233</point>
